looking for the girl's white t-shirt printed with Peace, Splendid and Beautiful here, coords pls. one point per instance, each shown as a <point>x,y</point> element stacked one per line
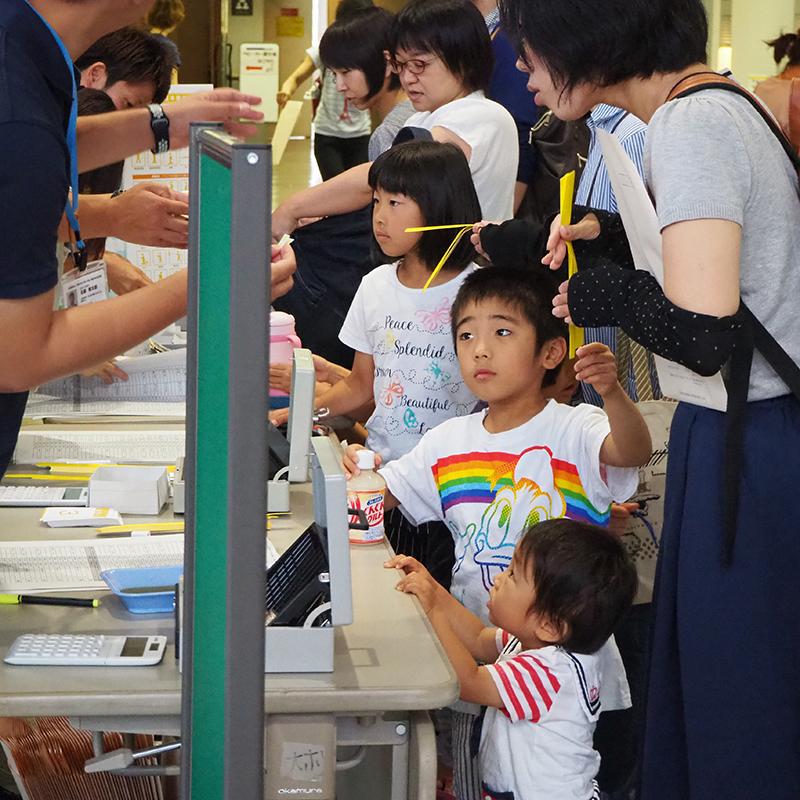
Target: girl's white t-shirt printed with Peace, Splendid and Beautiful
<point>417,382</point>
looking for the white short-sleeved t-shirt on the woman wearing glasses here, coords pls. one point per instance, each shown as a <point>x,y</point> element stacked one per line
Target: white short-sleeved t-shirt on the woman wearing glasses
<point>492,134</point>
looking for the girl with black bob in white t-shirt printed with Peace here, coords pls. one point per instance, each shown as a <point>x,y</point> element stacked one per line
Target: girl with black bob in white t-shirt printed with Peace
<point>404,353</point>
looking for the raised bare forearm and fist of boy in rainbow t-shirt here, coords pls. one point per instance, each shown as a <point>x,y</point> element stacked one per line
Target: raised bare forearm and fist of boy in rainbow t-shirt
<point>628,444</point>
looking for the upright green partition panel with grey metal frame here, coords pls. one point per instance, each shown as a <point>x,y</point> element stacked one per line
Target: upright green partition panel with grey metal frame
<point>226,466</point>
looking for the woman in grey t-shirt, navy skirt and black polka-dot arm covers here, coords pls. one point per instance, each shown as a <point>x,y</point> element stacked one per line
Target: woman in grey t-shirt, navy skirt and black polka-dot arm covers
<point>723,717</point>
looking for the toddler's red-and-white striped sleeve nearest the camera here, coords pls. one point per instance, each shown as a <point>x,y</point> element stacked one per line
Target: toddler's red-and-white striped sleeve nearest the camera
<point>527,686</point>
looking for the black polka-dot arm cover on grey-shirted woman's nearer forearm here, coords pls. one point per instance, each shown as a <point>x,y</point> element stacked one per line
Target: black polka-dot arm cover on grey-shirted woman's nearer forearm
<point>633,300</point>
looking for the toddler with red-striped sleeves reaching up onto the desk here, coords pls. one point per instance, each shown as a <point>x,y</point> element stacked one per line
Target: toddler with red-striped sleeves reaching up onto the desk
<point>566,589</point>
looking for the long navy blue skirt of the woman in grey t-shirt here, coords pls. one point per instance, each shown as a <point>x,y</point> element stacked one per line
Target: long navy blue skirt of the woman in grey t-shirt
<point>723,716</point>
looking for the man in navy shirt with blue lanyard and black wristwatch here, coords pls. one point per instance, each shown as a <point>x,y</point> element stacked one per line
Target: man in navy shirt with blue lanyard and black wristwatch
<point>38,344</point>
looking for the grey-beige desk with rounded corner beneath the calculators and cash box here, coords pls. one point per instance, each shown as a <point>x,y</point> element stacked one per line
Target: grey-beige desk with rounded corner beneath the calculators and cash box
<point>388,660</point>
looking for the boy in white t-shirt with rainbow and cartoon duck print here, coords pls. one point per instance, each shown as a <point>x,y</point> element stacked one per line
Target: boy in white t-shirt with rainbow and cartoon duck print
<point>491,475</point>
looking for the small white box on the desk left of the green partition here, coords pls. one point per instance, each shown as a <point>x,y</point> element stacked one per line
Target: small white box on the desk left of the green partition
<point>131,490</point>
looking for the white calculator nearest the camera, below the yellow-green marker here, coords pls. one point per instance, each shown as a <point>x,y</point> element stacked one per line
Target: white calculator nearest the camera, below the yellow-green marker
<point>86,650</point>
